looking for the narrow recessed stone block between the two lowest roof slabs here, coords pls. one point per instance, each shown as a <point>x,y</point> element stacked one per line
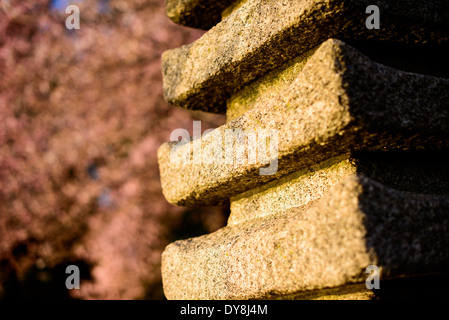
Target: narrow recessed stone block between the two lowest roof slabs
<point>422,172</point>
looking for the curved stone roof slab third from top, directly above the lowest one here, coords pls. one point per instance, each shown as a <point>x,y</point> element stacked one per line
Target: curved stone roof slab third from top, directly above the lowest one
<point>340,102</point>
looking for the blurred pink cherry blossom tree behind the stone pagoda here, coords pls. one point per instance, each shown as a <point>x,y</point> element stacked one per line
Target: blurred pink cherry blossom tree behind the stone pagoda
<point>82,117</point>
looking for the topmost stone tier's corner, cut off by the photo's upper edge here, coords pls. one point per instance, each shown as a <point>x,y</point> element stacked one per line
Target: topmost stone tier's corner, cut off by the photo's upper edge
<point>202,14</point>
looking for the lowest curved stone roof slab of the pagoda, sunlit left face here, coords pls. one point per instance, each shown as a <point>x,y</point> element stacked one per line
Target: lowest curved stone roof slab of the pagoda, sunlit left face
<point>325,244</point>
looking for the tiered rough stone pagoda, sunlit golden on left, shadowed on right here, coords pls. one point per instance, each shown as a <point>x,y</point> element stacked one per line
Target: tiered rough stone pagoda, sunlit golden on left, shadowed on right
<point>334,158</point>
